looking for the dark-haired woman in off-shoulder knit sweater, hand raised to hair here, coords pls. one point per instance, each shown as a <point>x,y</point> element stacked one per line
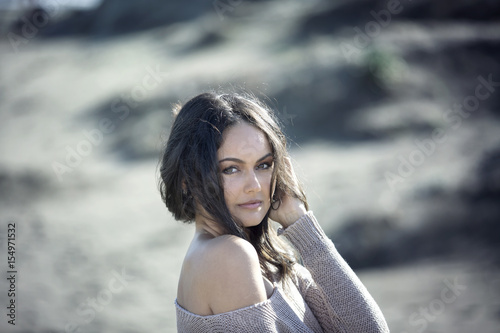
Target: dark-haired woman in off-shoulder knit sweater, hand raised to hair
<point>226,168</point>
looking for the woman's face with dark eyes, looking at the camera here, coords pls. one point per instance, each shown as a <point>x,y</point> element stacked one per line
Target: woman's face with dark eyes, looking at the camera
<point>246,163</point>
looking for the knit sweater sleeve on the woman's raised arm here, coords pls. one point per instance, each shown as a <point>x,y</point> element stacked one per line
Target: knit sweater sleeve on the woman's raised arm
<point>333,292</point>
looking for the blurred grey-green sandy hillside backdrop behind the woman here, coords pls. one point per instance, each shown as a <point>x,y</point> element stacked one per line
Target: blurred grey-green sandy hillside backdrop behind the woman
<point>391,107</point>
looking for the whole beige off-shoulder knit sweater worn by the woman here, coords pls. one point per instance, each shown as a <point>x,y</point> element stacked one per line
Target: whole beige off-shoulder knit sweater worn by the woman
<point>325,296</point>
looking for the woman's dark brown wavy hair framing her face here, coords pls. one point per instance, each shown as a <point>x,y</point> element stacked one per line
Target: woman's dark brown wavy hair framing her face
<point>190,173</point>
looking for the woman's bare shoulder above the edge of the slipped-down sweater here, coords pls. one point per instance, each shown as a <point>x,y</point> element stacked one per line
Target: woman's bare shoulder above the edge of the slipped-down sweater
<point>228,275</point>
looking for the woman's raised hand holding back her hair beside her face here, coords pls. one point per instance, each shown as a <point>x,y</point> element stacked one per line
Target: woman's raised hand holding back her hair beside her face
<point>290,209</point>
